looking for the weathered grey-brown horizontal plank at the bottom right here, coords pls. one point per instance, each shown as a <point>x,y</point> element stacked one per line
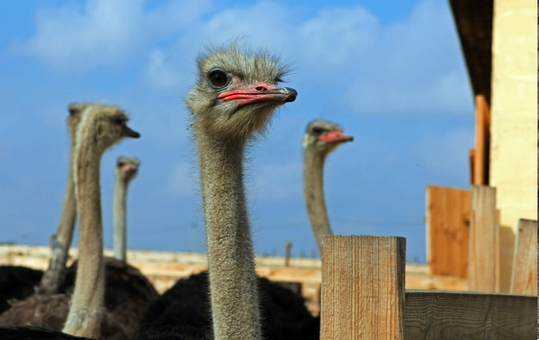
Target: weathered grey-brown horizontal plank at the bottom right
<point>469,316</point>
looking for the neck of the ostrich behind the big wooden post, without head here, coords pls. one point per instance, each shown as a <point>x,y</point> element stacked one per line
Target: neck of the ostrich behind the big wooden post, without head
<point>313,173</point>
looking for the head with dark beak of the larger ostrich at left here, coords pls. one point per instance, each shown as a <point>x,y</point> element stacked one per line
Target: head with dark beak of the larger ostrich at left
<point>104,125</point>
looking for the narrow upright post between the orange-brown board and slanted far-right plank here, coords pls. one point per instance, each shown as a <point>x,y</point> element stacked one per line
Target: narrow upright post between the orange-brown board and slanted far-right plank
<point>484,252</point>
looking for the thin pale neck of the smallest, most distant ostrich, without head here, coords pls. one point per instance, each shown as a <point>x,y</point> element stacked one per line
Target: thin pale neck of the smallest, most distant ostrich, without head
<point>119,218</point>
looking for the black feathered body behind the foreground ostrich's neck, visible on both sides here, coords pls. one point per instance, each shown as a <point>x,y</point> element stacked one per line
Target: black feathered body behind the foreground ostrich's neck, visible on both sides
<point>283,312</point>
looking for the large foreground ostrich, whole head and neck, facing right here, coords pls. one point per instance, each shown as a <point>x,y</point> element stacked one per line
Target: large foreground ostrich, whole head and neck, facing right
<point>234,98</point>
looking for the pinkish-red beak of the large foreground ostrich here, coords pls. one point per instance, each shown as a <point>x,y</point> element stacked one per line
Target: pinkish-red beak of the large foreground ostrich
<point>260,92</point>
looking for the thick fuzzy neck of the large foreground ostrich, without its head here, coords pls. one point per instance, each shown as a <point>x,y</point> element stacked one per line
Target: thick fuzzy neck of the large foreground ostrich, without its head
<point>233,290</point>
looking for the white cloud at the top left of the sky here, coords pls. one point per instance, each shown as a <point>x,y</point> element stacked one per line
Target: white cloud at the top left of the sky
<point>102,32</point>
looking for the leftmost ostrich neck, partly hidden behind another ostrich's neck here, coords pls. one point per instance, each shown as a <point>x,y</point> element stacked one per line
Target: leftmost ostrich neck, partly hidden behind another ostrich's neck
<point>60,243</point>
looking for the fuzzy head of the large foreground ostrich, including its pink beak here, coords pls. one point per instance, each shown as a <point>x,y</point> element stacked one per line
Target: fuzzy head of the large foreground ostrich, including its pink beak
<point>236,92</point>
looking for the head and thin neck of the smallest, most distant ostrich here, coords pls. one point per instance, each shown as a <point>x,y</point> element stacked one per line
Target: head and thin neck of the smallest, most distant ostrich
<point>126,170</point>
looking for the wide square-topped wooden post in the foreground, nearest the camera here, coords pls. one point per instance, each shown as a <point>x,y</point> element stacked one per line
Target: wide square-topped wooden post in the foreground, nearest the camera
<point>362,287</point>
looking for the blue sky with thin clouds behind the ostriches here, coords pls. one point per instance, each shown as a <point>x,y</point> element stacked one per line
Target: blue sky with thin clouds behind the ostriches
<point>390,73</point>
